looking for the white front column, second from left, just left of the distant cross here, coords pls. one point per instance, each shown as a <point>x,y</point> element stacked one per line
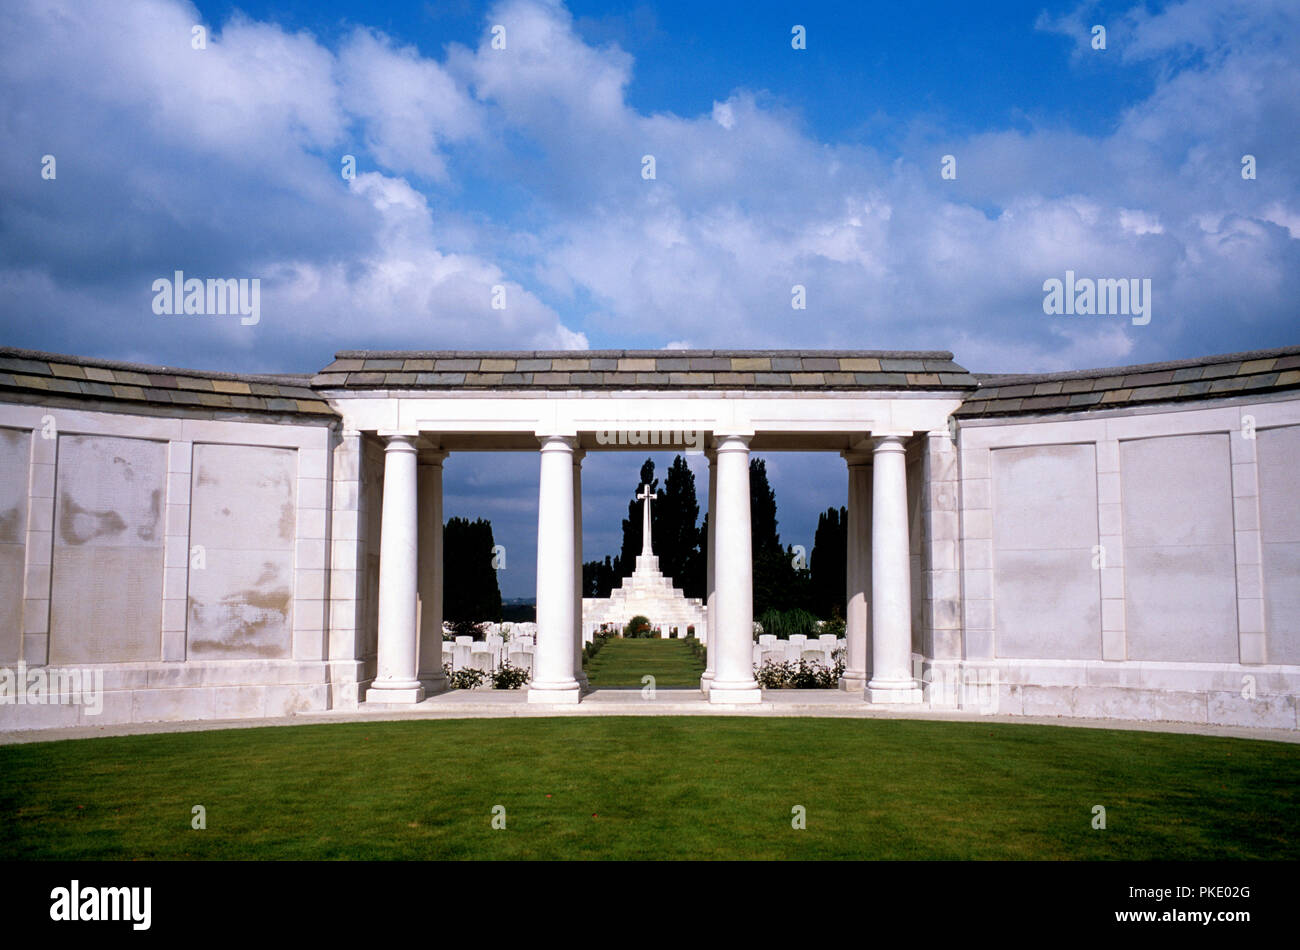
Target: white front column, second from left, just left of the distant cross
<point>553,660</point>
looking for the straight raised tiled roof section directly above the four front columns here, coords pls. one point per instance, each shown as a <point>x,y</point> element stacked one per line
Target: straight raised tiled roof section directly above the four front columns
<point>647,370</point>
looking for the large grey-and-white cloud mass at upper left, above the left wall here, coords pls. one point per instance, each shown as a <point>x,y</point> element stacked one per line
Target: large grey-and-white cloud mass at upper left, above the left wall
<point>226,162</point>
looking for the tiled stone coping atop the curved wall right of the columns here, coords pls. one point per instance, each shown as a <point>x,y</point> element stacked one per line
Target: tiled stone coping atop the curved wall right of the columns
<point>1208,378</point>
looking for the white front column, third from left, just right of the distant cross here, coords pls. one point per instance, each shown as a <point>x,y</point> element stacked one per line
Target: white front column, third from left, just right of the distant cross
<point>734,574</point>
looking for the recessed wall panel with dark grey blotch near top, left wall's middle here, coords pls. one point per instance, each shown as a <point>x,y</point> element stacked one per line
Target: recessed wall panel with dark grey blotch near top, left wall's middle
<point>107,587</point>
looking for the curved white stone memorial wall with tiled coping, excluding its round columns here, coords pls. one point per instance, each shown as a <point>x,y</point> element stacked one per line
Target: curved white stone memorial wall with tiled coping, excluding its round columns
<point>1119,544</point>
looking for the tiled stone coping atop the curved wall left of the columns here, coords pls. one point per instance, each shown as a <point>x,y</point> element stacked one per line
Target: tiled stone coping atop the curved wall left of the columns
<point>57,375</point>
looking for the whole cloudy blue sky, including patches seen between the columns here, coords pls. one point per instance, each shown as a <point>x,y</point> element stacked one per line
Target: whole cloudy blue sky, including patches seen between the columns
<point>522,168</point>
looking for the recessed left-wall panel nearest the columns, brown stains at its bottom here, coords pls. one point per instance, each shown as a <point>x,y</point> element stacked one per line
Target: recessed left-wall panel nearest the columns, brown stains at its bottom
<point>244,515</point>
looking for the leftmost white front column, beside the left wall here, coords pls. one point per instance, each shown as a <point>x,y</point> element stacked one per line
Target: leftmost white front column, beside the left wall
<point>396,680</point>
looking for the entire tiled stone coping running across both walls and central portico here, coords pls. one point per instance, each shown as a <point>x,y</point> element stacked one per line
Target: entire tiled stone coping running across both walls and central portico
<point>59,378</point>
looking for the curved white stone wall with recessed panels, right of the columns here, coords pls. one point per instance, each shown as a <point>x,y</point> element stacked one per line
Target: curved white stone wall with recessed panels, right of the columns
<point>1139,563</point>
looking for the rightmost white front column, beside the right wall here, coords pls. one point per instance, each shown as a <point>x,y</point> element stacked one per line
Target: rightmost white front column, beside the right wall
<point>891,578</point>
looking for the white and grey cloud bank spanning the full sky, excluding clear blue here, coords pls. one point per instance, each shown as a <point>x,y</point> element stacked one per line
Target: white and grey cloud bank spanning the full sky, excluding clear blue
<point>227,159</point>
